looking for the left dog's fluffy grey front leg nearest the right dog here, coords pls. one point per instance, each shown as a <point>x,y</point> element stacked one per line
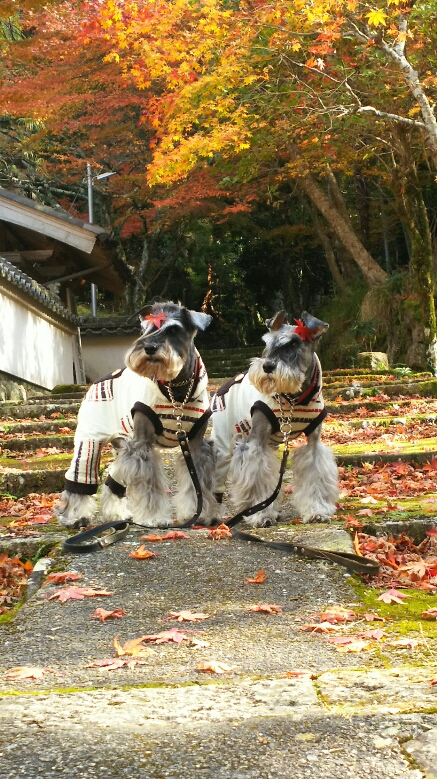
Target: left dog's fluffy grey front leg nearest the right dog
<point>185,500</point>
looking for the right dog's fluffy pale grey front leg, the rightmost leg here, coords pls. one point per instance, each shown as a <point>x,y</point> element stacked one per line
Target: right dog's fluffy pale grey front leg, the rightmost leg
<point>315,480</point>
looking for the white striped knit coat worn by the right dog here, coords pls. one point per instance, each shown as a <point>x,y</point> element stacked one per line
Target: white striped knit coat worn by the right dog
<point>233,406</point>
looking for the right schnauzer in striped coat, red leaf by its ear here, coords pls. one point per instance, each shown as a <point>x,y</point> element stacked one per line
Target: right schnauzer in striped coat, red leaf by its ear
<point>281,393</point>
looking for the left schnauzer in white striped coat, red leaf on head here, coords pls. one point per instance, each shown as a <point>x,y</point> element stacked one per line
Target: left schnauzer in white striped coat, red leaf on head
<point>163,390</point>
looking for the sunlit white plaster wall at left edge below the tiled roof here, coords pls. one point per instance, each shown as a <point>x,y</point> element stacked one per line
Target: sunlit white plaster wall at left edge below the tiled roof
<point>32,347</point>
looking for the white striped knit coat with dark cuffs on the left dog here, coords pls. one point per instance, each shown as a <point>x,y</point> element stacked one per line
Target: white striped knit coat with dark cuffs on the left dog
<point>107,412</point>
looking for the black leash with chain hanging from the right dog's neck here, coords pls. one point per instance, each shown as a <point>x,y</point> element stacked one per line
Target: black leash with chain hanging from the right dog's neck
<point>352,562</point>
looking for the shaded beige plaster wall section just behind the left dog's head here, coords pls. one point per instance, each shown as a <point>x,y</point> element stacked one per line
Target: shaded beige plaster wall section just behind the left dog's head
<point>102,355</point>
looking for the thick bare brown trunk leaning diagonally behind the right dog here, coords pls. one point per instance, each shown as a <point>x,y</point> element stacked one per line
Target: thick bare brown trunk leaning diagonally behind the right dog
<point>372,272</point>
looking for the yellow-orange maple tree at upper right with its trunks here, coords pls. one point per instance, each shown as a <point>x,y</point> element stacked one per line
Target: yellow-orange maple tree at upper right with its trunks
<point>296,88</point>
